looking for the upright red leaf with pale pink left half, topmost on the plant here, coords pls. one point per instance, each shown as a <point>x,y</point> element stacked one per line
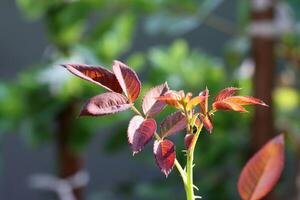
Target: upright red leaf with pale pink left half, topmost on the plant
<point>128,80</point>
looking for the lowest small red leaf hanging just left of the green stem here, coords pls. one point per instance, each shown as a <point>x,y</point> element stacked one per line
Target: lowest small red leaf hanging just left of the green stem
<point>164,153</point>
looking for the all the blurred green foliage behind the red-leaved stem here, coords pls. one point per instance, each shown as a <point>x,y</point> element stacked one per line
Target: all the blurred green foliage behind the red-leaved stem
<point>97,32</point>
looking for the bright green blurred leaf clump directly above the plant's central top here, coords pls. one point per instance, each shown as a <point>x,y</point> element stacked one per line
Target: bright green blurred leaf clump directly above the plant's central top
<point>183,66</point>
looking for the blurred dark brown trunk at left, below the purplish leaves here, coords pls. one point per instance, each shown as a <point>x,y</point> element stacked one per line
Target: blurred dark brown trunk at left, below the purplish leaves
<point>69,162</point>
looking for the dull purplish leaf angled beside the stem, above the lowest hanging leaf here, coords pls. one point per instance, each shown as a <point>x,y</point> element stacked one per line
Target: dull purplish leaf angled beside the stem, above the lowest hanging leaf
<point>172,124</point>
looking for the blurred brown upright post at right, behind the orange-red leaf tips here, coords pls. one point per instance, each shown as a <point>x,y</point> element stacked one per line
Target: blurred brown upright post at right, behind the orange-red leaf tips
<point>263,55</point>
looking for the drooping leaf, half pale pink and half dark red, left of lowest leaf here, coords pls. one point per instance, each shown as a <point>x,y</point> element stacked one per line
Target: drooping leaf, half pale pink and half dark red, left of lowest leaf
<point>140,132</point>
